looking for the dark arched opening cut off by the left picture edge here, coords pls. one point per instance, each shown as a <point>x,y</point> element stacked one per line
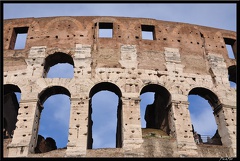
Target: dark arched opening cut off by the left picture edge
<point>12,94</point>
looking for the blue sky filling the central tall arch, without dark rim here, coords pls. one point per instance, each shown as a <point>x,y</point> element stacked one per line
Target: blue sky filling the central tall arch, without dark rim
<point>104,103</point>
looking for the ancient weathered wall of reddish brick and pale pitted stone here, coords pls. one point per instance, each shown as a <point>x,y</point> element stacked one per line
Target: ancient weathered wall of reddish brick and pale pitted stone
<point>178,60</point>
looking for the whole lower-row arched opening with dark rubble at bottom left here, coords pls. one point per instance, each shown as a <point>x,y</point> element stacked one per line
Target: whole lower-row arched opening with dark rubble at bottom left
<point>54,119</point>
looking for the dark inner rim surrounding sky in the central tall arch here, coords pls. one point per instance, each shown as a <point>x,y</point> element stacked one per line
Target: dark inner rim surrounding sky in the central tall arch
<point>112,88</point>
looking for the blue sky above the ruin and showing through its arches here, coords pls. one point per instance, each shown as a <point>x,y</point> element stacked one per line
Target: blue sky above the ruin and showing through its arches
<point>57,107</point>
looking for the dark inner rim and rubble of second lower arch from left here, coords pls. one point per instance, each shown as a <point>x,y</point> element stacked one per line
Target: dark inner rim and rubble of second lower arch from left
<point>42,97</point>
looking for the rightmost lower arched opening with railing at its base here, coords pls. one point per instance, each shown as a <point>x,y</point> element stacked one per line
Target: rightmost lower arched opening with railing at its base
<point>203,104</point>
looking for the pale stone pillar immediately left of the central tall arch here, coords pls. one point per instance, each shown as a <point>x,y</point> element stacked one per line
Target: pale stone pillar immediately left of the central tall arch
<point>78,127</point>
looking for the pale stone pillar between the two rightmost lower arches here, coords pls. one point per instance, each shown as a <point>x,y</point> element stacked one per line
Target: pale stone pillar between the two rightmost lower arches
<point>181,128</point>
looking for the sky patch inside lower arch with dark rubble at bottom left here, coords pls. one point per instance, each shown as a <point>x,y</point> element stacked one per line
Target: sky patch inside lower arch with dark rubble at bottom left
<point>54,120</point>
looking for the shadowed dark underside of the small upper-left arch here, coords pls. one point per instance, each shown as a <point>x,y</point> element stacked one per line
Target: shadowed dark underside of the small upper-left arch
<point>53,59</point>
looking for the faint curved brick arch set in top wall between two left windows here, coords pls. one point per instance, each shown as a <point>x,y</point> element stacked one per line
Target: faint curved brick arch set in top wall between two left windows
<point>59,19</point>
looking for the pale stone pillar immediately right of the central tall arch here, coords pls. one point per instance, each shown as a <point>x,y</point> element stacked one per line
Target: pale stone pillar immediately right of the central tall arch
<point>131,123</point>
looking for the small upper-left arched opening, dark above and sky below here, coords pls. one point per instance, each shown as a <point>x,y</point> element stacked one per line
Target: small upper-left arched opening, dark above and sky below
<point>58,65</point>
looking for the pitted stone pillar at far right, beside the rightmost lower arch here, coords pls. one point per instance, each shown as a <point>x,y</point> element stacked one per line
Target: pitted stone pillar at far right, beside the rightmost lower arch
<point>226,120</point>
